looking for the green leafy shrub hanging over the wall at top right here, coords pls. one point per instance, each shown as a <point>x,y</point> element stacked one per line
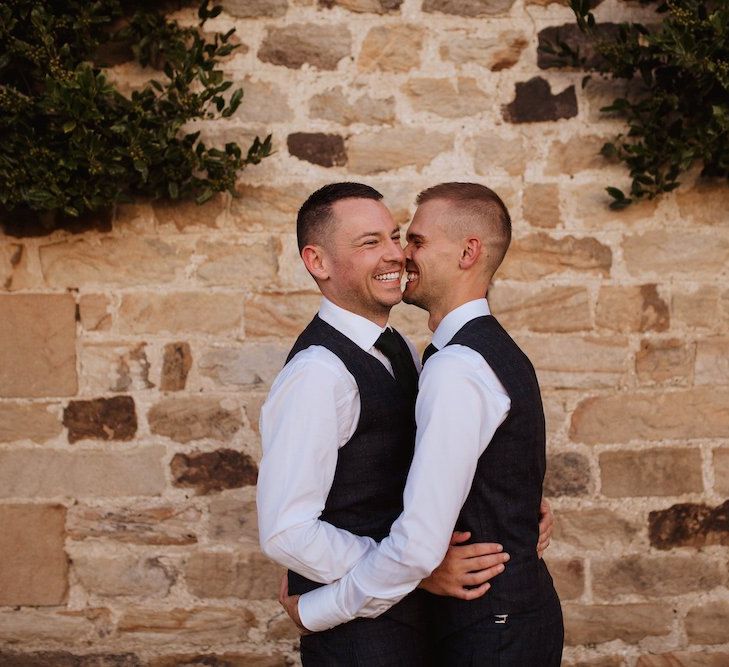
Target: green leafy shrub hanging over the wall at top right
<point>680,114</point>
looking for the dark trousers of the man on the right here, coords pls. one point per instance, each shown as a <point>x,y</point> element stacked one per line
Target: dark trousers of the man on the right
<point>532,639</point>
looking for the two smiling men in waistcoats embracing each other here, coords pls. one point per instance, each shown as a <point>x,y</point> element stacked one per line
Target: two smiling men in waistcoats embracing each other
<point>408,507</point>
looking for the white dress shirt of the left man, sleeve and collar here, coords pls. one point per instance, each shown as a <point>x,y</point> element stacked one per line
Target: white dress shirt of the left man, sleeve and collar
<point>311,411</point>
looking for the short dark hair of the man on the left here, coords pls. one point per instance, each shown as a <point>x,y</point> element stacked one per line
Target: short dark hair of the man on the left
<point>315,214</point>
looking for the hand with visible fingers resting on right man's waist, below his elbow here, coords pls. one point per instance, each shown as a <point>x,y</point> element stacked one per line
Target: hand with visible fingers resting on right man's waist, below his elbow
<point>470,565</point>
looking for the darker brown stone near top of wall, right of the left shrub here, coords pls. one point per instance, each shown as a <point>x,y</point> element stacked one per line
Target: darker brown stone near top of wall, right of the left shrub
<point>321,46</point>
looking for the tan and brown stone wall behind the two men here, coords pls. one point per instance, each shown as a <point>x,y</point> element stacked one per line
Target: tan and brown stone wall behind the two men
<point>134,360</point>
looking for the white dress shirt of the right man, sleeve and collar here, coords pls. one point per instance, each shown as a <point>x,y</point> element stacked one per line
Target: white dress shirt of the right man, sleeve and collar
<point>460,405</point>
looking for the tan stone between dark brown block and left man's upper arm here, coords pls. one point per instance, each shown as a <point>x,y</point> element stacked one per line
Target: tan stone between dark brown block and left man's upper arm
<point>193,418</point>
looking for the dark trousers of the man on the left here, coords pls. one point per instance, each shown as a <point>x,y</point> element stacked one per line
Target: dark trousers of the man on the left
<point>369,642</point>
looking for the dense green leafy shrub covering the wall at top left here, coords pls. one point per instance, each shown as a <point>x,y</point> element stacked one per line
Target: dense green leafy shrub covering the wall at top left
<point>73,144</point>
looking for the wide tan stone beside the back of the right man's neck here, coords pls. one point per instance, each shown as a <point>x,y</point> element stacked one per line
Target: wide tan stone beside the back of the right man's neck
<point>538,255</point>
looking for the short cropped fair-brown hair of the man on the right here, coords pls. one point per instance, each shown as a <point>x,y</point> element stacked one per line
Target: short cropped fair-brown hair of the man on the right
<point>479,209</point>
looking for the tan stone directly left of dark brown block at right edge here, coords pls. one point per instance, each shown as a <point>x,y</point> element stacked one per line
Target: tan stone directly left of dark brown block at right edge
<point>592,529</point>
